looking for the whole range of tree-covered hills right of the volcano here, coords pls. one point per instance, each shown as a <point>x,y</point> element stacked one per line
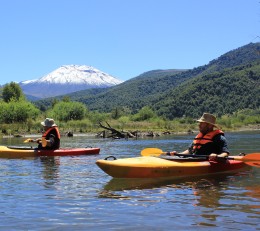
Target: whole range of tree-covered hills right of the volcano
<point>225,85</point>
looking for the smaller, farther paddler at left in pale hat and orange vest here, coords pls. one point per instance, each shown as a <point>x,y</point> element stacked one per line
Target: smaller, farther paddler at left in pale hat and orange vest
<point>51,137</point>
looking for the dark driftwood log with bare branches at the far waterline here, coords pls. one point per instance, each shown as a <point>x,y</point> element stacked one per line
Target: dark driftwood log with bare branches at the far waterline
<point>114,133</point>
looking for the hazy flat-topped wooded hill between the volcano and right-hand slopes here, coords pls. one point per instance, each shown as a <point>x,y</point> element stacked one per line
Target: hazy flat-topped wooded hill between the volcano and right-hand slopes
<point>133,94</point>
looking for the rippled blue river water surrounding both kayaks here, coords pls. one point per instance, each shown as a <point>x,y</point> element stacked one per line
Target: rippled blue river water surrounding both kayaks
<point>72,193</point>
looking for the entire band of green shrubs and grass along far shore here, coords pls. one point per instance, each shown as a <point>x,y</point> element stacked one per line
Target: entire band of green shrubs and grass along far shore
<point>19,117</point>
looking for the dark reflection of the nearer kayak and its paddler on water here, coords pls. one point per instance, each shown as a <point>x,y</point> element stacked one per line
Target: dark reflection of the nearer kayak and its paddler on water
<point>206,191</point>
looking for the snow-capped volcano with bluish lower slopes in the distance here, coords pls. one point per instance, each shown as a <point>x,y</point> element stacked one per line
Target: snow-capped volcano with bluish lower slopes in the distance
<point>68,79</point>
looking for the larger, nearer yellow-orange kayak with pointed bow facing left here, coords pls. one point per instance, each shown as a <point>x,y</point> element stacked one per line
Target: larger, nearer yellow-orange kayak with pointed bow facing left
<point>156,167</point>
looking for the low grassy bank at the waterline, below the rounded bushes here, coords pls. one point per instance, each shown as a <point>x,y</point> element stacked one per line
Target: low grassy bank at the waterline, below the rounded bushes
<point>140,129</point>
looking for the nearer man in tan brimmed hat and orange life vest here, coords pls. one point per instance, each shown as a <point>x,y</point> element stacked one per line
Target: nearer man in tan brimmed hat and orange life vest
<point>210,140</point>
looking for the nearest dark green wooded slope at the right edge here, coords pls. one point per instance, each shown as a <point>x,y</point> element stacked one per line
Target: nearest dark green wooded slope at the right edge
<point>220,93</point>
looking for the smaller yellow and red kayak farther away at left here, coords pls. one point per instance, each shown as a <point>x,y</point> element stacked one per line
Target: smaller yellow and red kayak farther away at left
<point>25,152</point>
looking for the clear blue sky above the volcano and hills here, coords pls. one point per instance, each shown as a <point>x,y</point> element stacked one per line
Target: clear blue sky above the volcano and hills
<point>123,38</point>
